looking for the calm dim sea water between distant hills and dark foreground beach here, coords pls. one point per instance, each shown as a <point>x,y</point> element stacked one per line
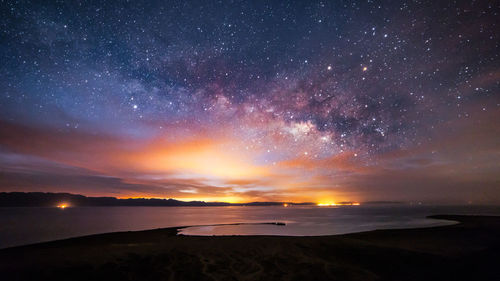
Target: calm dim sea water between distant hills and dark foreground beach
<point>21,226</point>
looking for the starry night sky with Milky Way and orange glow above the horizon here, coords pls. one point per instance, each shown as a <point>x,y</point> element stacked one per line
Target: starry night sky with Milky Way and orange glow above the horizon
<point>252,101</point>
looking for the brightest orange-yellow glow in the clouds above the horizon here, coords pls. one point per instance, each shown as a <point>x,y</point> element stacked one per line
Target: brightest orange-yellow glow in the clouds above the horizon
<point>217,167</point>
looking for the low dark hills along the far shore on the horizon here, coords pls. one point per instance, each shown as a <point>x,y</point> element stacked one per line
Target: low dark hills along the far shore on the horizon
<point>42,199</point>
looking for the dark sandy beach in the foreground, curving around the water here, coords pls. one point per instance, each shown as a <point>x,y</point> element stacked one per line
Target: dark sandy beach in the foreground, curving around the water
<point>466,251</point>
